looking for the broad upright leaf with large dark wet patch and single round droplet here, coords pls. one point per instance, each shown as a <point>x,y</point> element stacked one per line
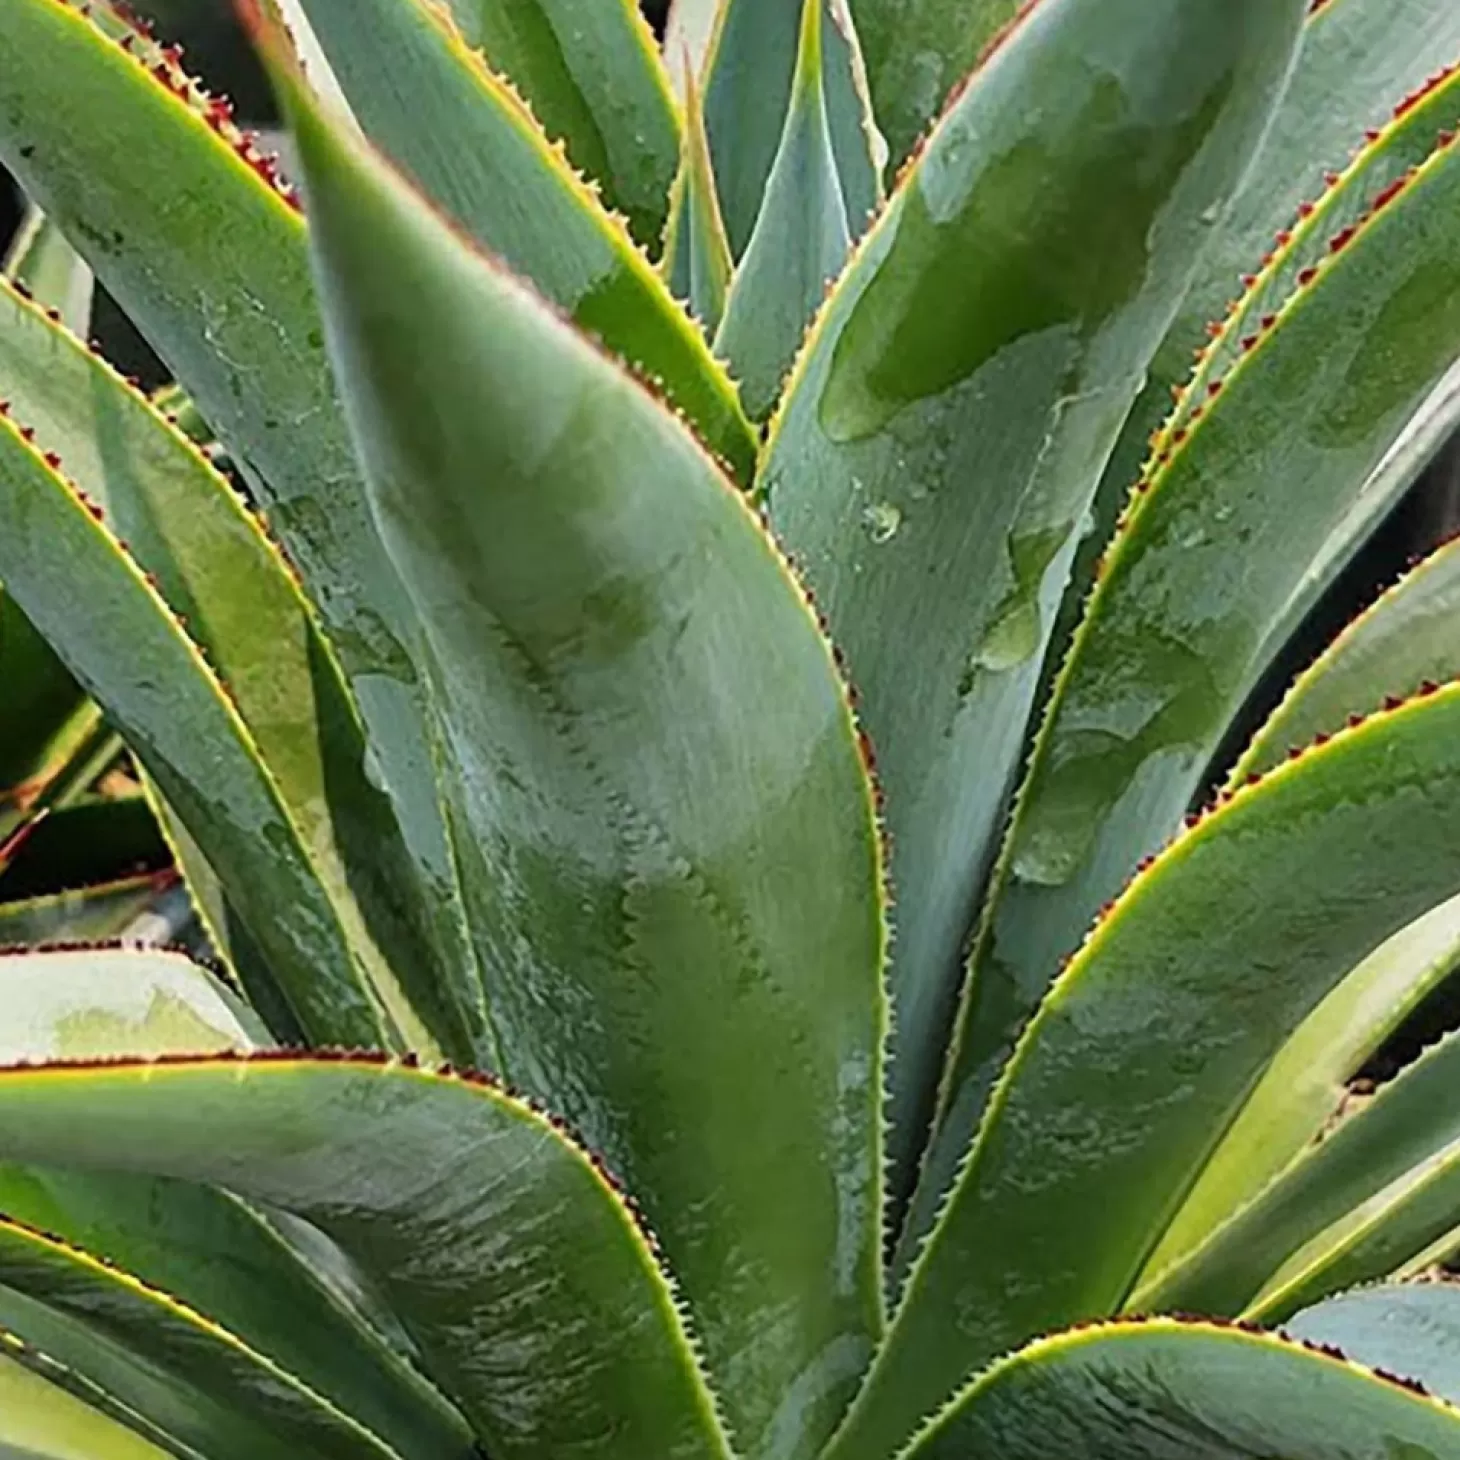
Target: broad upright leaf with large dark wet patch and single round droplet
<point>934,459</point>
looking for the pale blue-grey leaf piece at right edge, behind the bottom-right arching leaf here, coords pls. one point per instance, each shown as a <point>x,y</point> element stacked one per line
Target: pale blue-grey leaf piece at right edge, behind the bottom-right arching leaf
<point>1411,1331</point>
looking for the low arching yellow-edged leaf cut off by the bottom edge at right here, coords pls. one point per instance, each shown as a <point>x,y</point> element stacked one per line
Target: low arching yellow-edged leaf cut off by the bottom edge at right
<point>1164,1389</point>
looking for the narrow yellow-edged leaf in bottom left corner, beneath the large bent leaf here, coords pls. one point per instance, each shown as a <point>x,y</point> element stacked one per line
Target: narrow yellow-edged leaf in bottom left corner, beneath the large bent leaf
<point>183,1373</point>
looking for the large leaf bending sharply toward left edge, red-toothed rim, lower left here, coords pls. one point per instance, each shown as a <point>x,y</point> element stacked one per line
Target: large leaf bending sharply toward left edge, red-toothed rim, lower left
<point>503,1248</point>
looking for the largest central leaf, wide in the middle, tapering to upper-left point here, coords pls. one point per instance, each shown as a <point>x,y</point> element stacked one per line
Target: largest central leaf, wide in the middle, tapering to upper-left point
<point>668,888</point>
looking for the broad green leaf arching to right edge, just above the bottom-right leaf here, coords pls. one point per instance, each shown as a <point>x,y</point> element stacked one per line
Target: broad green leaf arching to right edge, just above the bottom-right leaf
<point>1148,1046</point>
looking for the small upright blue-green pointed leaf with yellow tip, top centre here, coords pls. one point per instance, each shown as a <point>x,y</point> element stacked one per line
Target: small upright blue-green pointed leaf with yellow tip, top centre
<point>799,245</point>
